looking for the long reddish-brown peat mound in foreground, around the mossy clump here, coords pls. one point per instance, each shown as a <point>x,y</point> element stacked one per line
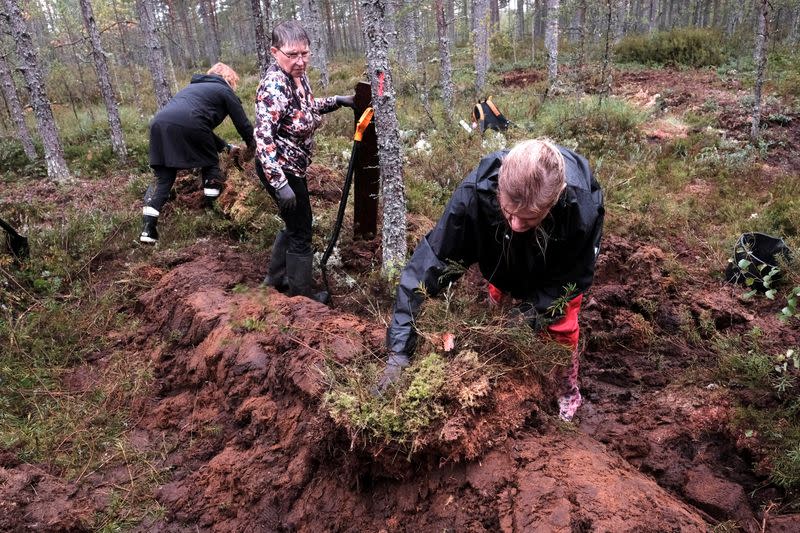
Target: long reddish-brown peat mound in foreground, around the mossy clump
<point>239,385</point>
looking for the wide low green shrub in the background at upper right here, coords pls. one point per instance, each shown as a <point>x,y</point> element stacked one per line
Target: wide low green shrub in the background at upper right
<point>695,47</point>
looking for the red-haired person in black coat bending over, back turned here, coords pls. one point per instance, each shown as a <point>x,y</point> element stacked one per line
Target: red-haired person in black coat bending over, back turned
<point>182,136</point>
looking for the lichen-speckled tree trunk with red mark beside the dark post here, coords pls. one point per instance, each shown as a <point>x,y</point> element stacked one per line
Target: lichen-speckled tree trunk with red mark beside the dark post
<point>386,126</point>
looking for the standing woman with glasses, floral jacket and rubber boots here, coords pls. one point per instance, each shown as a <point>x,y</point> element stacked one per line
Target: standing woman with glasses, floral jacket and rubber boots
<point>287,115</point>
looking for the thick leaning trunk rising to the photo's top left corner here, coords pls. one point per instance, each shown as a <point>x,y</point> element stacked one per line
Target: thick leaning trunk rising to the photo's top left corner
<point>53,152</point>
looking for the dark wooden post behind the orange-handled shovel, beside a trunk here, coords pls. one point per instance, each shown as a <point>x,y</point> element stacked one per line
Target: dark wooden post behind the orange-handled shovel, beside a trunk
<point>366,173</point>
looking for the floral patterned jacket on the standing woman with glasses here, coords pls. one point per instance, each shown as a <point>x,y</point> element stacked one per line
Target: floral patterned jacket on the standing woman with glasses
<point>285,123</point>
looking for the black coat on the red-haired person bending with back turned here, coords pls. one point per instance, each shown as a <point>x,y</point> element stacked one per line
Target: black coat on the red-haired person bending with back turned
<point>182,133</point>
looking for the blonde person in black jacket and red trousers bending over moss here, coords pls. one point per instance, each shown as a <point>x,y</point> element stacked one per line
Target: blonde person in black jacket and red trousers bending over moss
<point>532,219</point>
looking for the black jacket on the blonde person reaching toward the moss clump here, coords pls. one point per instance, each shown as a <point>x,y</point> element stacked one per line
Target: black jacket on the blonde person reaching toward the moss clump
<point>474,230</point>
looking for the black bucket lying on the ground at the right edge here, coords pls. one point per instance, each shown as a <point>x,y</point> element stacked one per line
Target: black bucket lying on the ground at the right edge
<point>756,257</point>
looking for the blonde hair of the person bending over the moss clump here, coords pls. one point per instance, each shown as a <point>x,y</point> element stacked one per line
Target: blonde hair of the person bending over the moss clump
<point>531,177</point>
